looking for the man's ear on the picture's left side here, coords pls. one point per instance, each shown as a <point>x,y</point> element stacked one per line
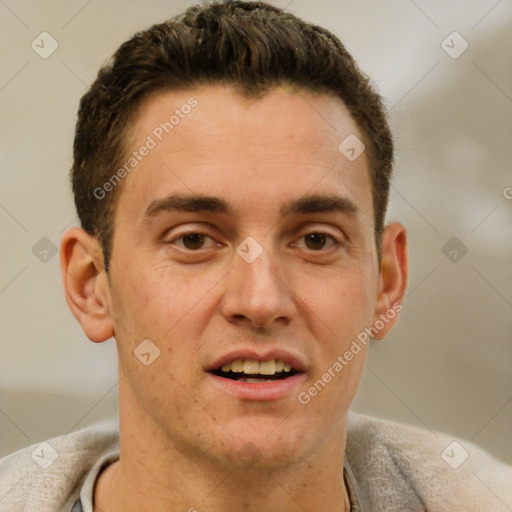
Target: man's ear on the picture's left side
<point>86,283</point>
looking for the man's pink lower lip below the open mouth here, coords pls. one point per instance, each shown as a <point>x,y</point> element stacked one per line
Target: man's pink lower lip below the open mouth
<point>264,391</point>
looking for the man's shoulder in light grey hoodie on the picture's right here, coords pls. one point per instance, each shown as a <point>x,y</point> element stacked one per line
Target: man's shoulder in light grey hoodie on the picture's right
<point>398,467</point>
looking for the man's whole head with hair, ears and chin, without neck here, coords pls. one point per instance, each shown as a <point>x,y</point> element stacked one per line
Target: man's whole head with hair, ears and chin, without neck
<point>238,233</point>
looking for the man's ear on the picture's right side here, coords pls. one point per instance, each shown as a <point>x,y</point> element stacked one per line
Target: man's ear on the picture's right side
<point>394,274</point>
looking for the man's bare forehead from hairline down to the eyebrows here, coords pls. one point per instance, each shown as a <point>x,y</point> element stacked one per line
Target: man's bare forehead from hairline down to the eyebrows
<point>215,141</point>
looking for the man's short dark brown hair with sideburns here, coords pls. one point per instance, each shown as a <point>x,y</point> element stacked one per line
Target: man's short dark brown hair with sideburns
<point>251,46</point>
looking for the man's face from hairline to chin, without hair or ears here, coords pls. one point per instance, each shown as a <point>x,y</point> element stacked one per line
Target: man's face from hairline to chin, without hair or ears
<point>185,275</point>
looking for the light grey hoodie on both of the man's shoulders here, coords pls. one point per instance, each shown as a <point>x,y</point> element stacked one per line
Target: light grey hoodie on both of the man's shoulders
<point>393,468</point>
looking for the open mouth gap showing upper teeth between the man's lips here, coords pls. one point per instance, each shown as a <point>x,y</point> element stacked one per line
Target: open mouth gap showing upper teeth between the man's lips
<point>256,372</point>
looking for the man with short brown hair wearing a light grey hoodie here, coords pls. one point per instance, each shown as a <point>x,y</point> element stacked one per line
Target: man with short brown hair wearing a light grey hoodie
<point>231,174</point>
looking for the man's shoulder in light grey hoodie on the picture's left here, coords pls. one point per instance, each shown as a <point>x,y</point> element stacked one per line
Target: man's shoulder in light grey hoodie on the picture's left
<point>47,476</point>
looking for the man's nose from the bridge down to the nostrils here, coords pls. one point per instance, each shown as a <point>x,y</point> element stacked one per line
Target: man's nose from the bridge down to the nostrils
<point>256,293</point>
